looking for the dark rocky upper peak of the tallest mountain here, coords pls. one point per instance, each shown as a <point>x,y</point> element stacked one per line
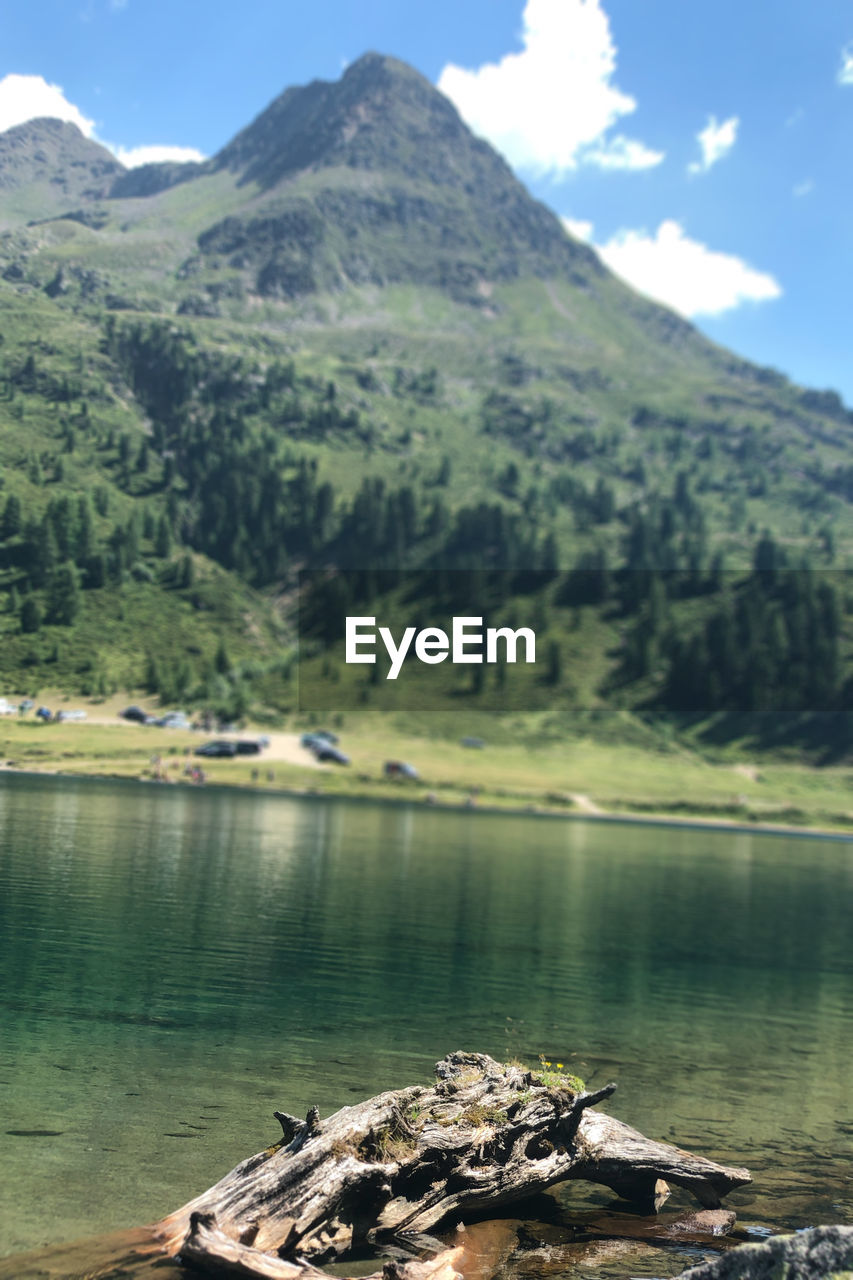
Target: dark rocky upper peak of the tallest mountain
<point>376,179</point>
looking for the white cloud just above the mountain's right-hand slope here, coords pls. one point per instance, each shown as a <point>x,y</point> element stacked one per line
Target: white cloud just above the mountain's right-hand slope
<point>686,275</point>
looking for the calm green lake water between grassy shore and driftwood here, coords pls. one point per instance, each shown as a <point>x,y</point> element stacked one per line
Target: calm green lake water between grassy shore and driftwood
<point>177,963</point>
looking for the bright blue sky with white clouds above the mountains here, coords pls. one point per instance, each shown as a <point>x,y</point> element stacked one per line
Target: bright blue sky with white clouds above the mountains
<point>703,148</point>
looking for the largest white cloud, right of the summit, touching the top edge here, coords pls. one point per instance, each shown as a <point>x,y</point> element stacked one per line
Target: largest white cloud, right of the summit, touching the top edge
<point>550,107</point>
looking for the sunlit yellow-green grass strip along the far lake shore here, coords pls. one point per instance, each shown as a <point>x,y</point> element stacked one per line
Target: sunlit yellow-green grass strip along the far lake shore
<point>517,769</point>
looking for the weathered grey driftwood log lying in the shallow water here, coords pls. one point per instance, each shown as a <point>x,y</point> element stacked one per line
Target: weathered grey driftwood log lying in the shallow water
<point>408,1162</point>
